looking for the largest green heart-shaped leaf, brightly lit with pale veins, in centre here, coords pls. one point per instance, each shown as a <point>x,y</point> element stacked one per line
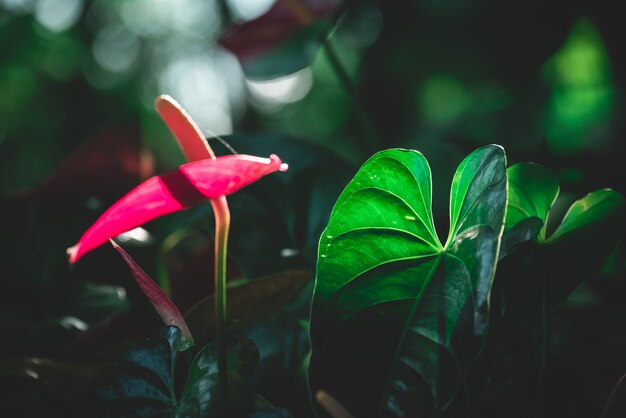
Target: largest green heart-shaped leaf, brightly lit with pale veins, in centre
<point>381,269</point>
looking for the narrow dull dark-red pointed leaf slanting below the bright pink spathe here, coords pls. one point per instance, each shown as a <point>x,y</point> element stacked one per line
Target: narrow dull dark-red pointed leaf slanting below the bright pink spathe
<point>166,309</point>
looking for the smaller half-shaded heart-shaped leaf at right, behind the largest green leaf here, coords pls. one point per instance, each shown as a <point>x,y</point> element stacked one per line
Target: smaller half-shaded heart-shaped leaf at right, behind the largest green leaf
<point>576,250</point>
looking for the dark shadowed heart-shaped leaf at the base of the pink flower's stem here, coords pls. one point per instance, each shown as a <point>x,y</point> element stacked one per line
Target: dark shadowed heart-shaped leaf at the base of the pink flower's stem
<point>141,383</point>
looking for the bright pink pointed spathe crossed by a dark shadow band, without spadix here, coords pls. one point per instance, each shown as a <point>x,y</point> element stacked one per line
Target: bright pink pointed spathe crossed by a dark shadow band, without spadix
<point>188,186</point>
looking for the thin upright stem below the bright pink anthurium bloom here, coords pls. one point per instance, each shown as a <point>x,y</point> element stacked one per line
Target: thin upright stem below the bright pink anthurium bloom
<point>222,225</point>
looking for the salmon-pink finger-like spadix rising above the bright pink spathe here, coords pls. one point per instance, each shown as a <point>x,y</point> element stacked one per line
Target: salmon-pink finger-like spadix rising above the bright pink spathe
<point>193,144</point>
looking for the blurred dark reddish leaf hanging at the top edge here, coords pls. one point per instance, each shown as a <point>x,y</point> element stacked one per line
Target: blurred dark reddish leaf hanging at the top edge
<point>255,37</point>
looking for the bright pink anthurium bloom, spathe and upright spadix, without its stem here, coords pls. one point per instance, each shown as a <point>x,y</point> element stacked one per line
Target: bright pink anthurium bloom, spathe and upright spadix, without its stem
<point>191,184</point>
